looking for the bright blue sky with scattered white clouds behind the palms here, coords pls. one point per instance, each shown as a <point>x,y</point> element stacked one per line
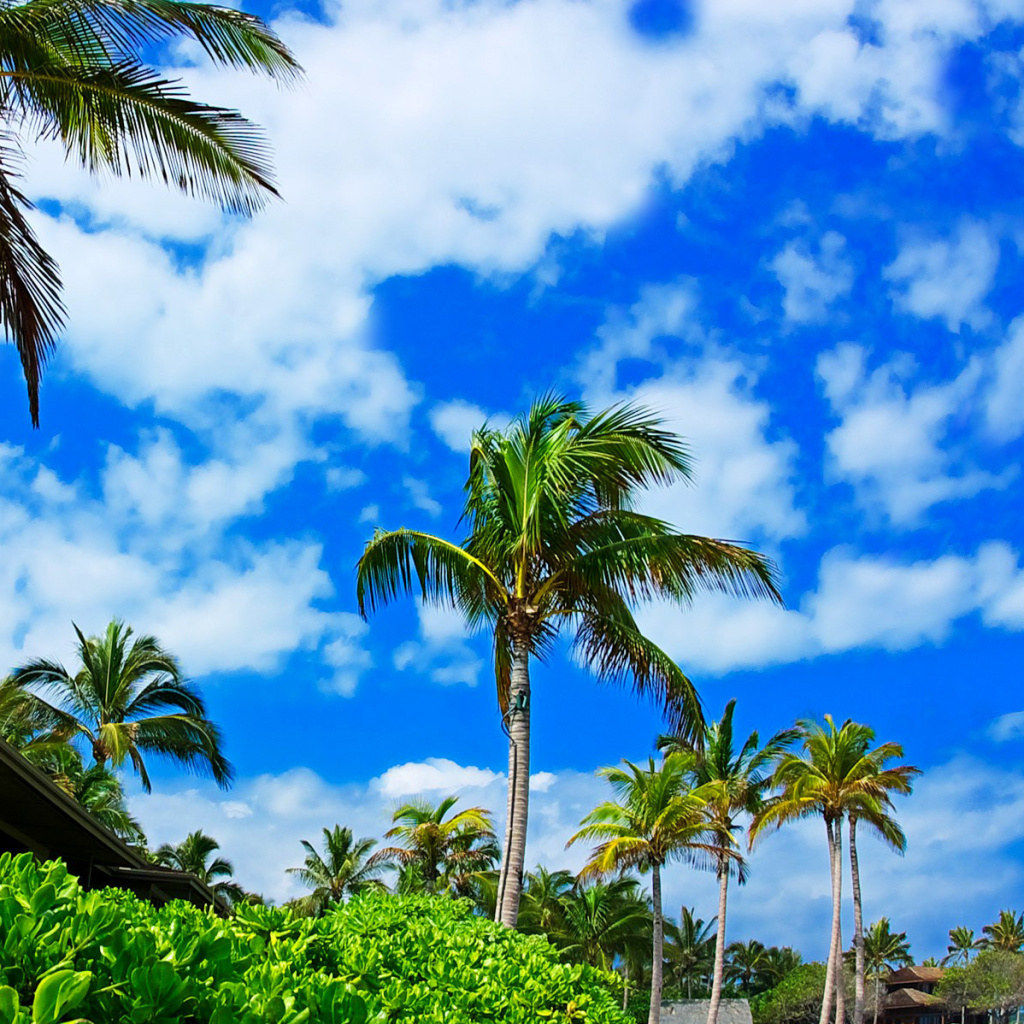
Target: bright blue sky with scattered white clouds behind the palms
<point>796,231</point>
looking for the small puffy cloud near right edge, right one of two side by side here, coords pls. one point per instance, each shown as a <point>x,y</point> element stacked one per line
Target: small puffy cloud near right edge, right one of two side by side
<point>948,279</point>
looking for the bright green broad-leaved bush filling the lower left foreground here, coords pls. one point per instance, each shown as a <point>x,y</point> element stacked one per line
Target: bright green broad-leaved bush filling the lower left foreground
<point>108,958</point>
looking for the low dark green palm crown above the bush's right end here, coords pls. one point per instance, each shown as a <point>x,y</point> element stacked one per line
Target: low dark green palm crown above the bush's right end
<point>605,921</point>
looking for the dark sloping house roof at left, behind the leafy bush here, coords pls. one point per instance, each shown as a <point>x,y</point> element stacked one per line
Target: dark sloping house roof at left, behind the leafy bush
<point>38,817</point>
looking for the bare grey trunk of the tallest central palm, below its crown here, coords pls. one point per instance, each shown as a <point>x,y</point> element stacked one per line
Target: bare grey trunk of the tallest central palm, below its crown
<point>510,880</point>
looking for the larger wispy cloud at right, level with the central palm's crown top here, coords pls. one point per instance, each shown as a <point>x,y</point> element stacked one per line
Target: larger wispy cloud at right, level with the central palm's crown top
<point>892,442</point>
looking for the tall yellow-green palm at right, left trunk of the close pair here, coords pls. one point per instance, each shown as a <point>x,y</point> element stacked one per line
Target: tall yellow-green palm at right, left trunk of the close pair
<point>835,774</point>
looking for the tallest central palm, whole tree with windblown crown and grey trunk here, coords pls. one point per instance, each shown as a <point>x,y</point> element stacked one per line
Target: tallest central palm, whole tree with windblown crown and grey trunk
<point>554,542</point>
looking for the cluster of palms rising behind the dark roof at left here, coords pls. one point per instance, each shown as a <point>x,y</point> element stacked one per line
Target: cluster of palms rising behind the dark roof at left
<point>126,702</point>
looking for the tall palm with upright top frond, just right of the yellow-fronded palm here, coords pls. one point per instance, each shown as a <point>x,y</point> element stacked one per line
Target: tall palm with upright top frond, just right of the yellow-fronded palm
<point>744,779</point>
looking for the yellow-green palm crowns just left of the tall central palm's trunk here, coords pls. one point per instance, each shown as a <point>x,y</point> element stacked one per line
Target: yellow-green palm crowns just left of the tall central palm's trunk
<point>445,851</point>
